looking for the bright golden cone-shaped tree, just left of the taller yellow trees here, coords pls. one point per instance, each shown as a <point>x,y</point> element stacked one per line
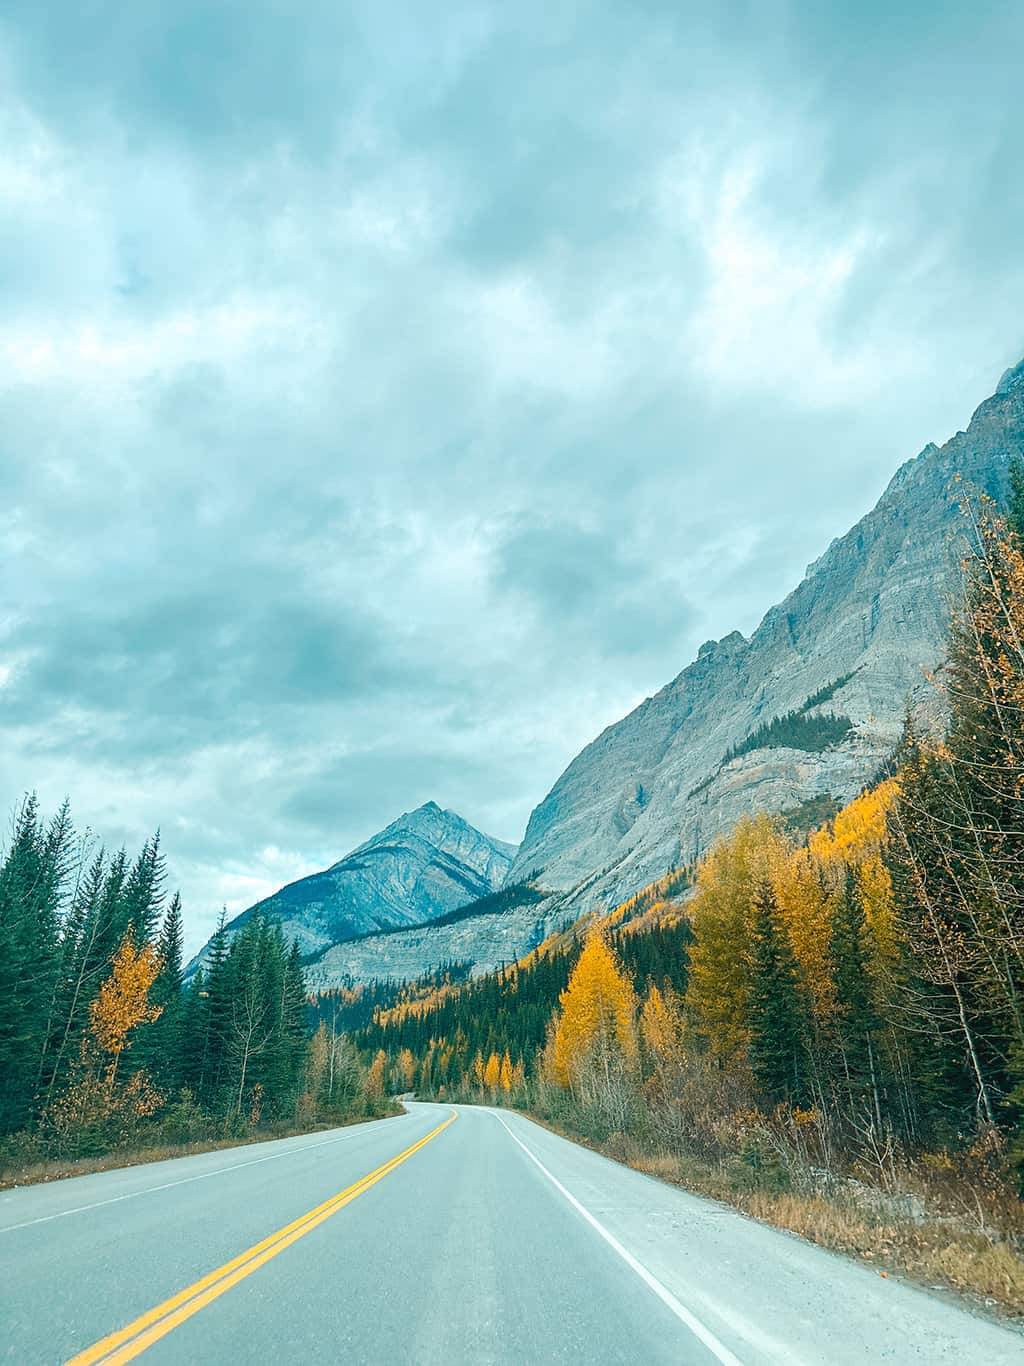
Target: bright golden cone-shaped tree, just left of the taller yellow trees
<point>599,1013</point>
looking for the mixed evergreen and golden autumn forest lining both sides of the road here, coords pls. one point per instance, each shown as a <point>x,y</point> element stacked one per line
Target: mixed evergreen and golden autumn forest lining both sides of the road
<point>802,1017</point>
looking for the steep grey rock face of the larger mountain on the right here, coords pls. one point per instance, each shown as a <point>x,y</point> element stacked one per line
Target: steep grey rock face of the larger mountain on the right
<point>862,632</point>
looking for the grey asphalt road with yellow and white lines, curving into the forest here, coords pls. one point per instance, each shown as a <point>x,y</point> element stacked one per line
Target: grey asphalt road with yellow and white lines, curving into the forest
<point>481,1241</point>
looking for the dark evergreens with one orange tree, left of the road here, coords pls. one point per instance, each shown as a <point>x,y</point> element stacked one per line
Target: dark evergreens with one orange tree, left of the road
<point>107,1054</point>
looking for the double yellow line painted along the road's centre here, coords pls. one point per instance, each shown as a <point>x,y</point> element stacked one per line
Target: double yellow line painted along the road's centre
<point>136,1338</point>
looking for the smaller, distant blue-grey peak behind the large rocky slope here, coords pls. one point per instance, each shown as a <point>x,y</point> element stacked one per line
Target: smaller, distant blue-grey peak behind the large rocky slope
<point>423,867</point>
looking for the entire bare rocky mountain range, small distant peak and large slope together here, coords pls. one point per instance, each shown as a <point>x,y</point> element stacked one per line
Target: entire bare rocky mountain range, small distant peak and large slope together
<point>793,721</point>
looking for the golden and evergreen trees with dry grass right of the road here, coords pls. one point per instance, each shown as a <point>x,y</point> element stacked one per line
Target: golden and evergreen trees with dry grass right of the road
<point>828,1032</point>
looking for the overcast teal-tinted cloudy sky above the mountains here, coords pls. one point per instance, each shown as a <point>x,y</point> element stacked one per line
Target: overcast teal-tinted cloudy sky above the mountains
<point>395,395</point>
